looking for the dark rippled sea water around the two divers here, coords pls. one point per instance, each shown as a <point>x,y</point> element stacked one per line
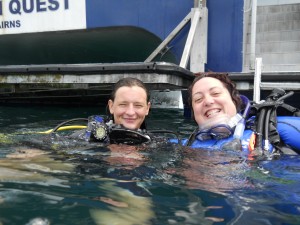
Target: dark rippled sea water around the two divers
<point>67,182</point>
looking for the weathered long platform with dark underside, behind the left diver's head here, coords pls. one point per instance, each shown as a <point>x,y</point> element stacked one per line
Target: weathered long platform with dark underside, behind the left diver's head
<point>84,84</point>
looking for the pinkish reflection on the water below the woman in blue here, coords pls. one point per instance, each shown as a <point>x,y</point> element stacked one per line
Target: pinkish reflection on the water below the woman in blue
<point>215,171</point>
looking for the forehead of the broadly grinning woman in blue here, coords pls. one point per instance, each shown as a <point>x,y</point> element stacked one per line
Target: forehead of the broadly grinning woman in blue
<point>206,84</point>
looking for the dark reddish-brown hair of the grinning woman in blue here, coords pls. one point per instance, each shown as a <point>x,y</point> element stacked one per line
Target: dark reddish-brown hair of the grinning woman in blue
<point>229,85</point>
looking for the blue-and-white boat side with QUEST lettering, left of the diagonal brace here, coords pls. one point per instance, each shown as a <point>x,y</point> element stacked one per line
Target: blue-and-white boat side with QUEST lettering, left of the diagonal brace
<point>68,32</point>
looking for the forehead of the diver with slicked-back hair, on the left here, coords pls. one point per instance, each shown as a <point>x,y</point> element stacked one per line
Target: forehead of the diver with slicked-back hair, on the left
<point>134,92</point>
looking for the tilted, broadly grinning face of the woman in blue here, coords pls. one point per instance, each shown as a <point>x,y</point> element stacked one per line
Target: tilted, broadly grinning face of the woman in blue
<point>211,100</point>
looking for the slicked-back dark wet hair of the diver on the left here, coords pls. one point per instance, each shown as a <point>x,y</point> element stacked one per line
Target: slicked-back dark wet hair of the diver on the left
<point>129,82</point>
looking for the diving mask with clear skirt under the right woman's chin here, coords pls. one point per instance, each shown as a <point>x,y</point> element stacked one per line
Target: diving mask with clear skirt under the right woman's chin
<point>220,128</point>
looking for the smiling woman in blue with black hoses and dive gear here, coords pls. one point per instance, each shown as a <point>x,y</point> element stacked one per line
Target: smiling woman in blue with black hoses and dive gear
<point>229,121</point>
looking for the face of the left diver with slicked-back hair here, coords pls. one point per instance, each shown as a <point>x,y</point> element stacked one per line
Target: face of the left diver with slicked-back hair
<point>130,106</point>
